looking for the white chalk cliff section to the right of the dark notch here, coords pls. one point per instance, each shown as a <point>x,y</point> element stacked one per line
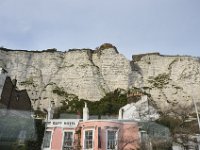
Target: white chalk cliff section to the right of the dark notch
<point>172,81</point>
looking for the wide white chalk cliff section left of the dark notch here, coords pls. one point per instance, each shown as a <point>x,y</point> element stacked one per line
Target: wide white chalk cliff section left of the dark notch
<point>86,73</point>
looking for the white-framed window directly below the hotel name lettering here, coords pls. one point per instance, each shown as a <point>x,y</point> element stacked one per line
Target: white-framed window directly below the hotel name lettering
<point>68,141</point>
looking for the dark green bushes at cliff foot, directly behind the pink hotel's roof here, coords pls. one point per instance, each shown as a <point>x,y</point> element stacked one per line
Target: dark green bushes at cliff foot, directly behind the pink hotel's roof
<point>108,105</point>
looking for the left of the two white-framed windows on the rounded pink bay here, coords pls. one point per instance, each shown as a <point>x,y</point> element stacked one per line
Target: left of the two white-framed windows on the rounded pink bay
<point>88,140</point>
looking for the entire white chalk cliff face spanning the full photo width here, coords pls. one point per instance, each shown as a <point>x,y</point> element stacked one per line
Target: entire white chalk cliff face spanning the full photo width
<point>171,80</point>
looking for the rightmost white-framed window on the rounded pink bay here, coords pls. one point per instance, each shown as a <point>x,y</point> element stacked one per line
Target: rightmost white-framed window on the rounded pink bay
<point>111,139</point>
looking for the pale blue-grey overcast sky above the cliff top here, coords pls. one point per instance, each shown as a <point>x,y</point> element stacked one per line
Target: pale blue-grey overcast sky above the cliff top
<point>133,26</point>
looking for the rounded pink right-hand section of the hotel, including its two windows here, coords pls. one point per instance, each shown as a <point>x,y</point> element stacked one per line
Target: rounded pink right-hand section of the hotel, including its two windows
<point>108,135</point>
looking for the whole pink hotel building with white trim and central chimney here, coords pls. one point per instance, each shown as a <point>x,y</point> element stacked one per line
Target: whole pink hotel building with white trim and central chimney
<point>76,134</point>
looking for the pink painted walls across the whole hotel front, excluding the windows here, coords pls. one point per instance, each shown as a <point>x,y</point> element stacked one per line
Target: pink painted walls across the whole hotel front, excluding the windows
<point>128,134</point>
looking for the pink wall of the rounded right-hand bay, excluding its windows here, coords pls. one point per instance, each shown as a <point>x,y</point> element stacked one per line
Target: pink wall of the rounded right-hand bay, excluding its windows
<point>128,135</point>
